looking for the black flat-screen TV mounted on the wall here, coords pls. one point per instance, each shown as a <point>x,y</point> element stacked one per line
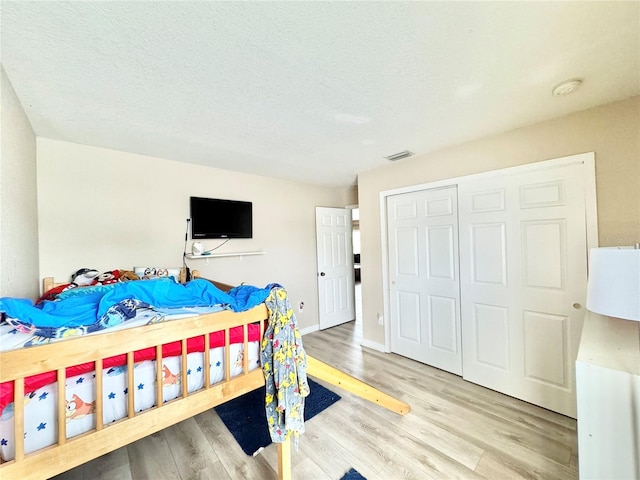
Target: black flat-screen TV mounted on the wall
<point>218,218</point>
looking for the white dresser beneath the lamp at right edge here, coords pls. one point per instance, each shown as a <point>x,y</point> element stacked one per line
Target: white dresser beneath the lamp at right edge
<point>608,398</point>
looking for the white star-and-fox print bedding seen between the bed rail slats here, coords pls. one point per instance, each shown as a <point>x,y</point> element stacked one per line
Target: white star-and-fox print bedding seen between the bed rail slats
<point>40,410</point>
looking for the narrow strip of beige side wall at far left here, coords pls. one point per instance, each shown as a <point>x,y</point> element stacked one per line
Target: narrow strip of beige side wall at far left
<point>18,204</point>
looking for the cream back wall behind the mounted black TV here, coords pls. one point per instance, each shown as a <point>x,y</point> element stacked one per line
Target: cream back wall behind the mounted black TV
<point>107,209</point>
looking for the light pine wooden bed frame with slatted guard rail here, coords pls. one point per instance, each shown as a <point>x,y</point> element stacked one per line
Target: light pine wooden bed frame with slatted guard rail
<point>67,453</point>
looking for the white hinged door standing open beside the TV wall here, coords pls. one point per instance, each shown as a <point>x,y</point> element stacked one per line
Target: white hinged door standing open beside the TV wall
<point>336,288</point>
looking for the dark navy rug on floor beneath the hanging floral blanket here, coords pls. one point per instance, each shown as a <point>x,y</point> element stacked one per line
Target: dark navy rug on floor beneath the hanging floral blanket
<point>246,419</point>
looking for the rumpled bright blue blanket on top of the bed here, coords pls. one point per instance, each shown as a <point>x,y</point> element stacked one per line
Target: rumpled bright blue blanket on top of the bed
<point>101,309</point>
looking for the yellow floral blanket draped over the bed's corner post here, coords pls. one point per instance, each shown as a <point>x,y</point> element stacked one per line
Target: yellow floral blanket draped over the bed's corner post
<point>284,364</point>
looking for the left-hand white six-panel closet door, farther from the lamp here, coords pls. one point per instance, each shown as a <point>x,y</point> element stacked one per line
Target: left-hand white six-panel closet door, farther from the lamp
<point>424,283</point>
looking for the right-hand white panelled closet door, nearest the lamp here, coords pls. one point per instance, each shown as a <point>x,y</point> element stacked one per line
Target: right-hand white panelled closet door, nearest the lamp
<point>523,280</point>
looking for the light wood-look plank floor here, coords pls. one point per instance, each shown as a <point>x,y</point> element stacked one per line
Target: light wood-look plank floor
<point>456,430</point>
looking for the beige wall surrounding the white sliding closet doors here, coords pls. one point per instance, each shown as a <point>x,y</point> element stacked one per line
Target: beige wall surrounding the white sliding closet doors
<point>611,131</point>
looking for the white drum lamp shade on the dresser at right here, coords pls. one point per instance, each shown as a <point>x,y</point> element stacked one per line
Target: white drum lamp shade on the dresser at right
<point>613,288</point>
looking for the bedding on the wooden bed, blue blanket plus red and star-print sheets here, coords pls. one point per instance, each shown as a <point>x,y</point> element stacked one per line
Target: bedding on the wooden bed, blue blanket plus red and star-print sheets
<point>123,306</point>
